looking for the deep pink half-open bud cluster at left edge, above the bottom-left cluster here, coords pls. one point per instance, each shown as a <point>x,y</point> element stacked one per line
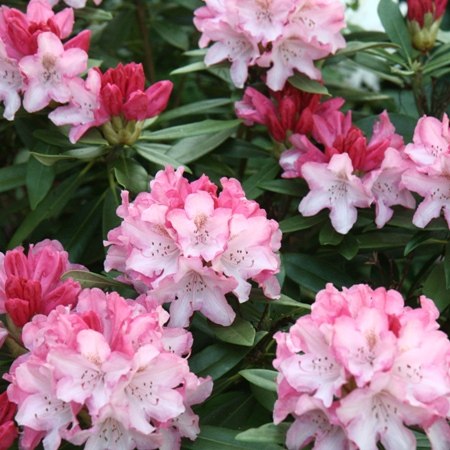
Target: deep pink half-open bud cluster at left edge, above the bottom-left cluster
<point>31,283</point>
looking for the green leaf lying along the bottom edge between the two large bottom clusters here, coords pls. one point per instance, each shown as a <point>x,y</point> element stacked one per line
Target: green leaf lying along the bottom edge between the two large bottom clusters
<point>216,438</point>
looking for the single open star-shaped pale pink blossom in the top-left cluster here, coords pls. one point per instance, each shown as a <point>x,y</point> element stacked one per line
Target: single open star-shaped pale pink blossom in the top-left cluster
<point>49,72</point>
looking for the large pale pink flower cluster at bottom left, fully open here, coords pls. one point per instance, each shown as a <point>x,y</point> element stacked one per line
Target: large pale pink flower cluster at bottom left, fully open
<point>107,374</point>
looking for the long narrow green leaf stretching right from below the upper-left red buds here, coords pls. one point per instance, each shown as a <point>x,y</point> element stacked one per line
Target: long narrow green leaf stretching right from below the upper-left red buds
<point>191,129</point>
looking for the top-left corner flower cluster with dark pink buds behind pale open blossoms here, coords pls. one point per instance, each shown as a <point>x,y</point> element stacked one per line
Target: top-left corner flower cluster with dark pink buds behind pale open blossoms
<point>33,58</point>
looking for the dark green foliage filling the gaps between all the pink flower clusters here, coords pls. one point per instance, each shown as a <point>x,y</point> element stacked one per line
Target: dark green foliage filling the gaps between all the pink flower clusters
<point>50,188</point>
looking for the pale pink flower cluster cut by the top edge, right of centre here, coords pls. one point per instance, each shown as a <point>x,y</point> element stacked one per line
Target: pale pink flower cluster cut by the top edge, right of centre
<point>283,36</point>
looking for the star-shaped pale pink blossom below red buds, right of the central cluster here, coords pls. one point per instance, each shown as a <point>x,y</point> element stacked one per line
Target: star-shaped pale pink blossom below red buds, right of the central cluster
<point>334,186</point>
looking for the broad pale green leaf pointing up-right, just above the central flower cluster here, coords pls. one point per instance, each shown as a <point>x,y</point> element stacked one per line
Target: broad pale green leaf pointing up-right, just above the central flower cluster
<point>192,148</point>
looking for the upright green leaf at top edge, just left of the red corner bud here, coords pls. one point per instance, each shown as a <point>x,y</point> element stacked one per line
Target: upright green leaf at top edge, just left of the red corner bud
<point>395,27</point>
